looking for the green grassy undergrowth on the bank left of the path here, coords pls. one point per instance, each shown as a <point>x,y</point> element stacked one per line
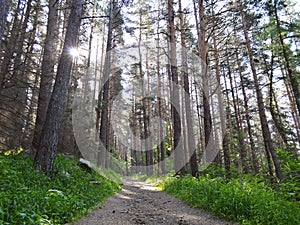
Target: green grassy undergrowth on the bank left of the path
<point>29,197</point>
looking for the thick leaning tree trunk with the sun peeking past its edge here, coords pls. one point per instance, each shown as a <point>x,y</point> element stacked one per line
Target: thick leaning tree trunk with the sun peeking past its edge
<point>45,156</point>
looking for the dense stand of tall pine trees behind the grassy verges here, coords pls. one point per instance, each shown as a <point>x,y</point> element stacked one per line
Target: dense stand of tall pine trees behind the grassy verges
<point>225,77</point>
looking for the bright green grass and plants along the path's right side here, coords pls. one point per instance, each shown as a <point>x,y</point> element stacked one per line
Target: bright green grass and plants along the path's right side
<point>247,201</point>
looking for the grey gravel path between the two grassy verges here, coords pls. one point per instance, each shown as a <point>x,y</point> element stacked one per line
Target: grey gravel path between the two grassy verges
<point>142,203</point>
